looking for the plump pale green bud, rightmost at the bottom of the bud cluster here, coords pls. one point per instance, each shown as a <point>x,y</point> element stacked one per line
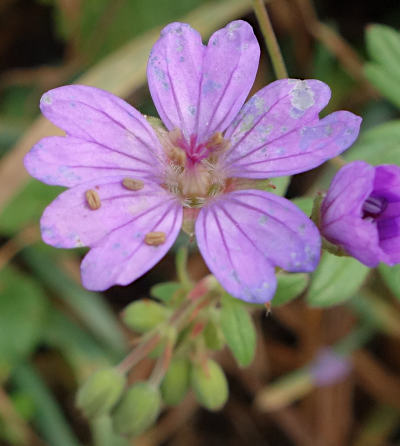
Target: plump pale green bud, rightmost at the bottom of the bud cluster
<point>210,385</point>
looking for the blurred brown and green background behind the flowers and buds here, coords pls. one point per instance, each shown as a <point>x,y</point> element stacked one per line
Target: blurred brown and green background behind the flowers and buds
<point>53,333</point>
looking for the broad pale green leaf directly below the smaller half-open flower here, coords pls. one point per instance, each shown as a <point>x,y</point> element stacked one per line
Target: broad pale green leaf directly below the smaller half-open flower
<point>335,280</point>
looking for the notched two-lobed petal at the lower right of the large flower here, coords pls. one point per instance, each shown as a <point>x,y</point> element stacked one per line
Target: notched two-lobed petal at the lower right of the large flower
<point>244,234</point>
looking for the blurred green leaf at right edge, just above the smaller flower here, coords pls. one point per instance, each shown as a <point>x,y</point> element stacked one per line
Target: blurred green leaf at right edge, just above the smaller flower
<point>379,145</point>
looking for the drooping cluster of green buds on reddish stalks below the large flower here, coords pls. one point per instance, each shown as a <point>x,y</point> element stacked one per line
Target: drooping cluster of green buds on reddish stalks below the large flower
<point>180,333</point>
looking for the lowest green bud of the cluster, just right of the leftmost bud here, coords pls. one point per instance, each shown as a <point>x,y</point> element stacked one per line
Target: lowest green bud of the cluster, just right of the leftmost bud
<point>137,410</point>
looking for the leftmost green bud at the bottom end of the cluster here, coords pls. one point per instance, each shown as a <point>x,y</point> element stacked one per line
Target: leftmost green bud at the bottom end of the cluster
<point>100,392</point>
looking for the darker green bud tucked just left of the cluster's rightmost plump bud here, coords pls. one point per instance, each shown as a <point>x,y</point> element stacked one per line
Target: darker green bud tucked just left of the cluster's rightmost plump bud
<point>176,381</point>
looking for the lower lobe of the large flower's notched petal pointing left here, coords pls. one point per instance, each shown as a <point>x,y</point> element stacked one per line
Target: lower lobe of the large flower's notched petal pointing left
<point>69,161</point>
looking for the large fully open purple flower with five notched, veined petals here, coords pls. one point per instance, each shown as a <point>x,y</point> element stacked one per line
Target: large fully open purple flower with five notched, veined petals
<point>132,184</point>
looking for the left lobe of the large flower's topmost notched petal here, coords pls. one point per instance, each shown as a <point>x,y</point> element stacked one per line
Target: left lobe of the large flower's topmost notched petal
<point>174,74</point>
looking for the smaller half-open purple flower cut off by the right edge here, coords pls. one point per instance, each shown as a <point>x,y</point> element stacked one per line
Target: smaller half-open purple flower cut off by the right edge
<point>361,212</point>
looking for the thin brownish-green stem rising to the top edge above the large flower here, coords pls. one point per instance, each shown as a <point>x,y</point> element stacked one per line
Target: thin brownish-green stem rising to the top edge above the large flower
<point>270,39</point>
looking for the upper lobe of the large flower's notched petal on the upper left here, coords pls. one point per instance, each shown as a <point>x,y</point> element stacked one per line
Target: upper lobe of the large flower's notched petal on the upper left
<point>96,116</point>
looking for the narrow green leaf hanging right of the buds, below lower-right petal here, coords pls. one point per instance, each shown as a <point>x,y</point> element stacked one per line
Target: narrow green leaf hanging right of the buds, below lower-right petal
<point>238,329</point>
